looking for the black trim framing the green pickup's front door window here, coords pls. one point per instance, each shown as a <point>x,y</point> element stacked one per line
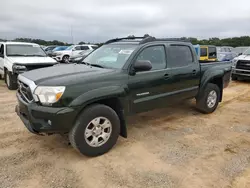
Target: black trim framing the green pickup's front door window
<point>142,49</point>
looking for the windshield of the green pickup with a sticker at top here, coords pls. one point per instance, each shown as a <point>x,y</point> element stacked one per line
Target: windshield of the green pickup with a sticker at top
<point>111,56</point>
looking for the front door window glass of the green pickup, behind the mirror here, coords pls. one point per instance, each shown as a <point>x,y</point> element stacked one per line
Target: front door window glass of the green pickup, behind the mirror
<point>154,54</point>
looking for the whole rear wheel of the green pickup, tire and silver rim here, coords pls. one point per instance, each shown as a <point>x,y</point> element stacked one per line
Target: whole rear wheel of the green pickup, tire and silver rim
<point>208,101</point>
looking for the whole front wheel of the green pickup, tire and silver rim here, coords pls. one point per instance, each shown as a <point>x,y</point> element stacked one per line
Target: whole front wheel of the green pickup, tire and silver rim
<point>96,130</point>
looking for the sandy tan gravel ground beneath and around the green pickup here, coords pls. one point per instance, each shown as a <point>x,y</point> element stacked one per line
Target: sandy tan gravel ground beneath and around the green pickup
<point>172,147</point>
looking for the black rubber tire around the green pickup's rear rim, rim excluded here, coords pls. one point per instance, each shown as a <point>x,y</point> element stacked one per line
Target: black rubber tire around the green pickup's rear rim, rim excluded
<point>201,101</point>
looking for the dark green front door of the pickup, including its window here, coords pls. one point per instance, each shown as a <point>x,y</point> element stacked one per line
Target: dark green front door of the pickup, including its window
<point>147,88</point>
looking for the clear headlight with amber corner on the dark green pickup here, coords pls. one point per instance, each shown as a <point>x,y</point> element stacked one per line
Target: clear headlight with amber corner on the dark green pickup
<point>49,95</point>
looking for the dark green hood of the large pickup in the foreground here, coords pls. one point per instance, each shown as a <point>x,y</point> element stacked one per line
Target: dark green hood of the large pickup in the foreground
<point>66,74</point>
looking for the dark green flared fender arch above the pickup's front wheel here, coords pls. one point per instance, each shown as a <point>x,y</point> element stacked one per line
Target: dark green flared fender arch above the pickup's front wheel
<point>98,94</point>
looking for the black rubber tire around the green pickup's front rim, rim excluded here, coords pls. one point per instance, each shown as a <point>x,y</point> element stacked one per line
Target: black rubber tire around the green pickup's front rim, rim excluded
<point>77,137</point>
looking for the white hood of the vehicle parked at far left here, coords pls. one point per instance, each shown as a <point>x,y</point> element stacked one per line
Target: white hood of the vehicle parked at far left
<point>31,60</point>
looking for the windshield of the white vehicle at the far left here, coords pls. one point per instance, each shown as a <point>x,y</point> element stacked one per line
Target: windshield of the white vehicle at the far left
<point>24,50</point>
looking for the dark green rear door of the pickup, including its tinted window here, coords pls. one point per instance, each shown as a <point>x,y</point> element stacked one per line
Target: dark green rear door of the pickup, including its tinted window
<point>183,71</point>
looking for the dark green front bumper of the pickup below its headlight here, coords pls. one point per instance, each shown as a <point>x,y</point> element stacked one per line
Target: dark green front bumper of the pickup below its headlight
<point>40,119</point>
